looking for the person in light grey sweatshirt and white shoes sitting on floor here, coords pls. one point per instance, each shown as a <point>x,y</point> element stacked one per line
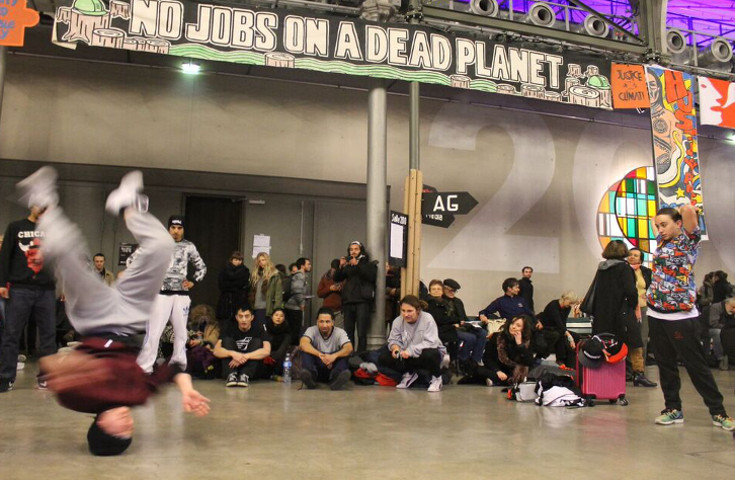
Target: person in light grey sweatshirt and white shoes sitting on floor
<point>414,345</point>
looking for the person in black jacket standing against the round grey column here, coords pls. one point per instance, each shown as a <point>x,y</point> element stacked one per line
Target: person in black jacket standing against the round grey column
<point>358,291</point>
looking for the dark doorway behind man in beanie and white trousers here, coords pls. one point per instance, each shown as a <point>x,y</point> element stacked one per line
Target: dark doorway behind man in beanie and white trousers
<point>213,224</point>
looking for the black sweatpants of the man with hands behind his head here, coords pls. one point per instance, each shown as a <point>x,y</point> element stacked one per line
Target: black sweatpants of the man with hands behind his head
<point>670,338</point>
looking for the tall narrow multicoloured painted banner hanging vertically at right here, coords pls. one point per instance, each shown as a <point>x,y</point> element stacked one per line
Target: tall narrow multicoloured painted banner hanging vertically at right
<point>675,147</point>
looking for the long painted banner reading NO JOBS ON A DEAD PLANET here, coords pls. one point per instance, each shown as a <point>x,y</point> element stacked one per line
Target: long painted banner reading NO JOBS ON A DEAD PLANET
<point>304,40</point>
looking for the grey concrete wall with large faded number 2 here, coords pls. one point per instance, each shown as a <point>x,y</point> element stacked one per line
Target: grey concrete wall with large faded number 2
<point>538,178</point>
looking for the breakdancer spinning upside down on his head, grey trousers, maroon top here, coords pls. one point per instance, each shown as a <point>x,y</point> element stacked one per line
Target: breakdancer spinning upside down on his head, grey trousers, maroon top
<point>101,375</point>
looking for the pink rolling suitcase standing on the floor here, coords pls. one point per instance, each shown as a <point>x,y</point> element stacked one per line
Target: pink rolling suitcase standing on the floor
<point>604,383</point>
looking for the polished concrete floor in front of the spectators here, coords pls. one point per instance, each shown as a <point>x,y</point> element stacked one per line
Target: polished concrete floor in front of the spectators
<point>270,431</point>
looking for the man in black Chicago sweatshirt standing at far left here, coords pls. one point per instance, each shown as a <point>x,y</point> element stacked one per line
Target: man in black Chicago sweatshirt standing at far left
<point>27,285</point>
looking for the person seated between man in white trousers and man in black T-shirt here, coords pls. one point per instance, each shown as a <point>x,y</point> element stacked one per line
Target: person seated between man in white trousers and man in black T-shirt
<point>204,332</point>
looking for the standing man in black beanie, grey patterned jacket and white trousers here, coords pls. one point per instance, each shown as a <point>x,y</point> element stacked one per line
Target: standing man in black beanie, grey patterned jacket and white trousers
<point>173,301</point>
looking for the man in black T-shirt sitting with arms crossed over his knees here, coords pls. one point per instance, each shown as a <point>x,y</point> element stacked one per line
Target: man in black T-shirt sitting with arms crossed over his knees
<point>242,348</point>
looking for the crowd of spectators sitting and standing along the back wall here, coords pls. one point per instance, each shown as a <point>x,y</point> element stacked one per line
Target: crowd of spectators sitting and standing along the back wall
<point>258,321</point>
